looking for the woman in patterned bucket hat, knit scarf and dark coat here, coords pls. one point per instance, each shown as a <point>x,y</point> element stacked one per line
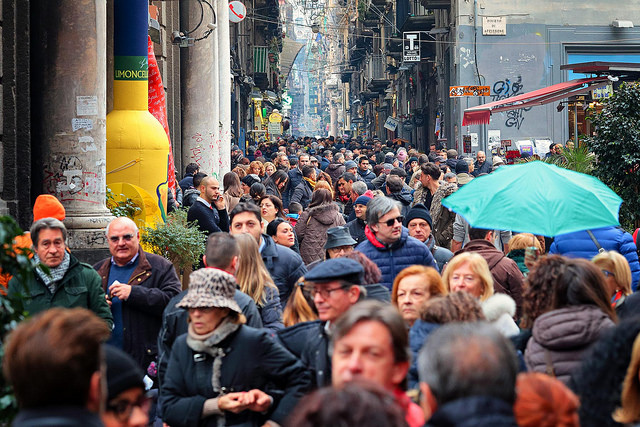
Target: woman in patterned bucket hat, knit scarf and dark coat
<point>219,371</point>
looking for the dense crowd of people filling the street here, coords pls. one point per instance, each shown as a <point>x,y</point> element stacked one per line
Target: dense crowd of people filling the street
<point>336,289</point>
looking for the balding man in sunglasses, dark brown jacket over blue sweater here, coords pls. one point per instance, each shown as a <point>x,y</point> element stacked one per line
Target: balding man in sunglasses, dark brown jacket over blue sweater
<point>138,286</point>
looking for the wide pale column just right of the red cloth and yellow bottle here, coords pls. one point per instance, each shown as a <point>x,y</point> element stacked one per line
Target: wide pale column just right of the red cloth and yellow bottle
<point>199,92</point>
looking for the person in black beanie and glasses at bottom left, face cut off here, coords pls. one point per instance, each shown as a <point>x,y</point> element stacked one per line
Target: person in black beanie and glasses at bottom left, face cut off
<point>127,405</point>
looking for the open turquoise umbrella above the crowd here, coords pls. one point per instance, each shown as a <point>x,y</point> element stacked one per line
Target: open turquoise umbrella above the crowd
<point>538,198</point>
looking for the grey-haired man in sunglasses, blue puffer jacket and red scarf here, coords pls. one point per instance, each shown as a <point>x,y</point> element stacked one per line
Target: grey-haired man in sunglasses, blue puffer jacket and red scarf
<point>388,243</point>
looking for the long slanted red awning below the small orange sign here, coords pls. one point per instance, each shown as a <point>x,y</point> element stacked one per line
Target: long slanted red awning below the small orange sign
<point>482,113</point>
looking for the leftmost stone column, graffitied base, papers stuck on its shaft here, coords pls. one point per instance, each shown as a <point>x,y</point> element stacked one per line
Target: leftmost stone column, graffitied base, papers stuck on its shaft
<point>74,117</point>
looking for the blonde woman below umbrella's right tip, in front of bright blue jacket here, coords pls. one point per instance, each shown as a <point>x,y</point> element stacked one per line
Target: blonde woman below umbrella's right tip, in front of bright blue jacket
<point>617,273</point>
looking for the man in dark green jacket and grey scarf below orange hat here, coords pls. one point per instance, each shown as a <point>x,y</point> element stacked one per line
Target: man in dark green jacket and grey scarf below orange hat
<point>68,283</point>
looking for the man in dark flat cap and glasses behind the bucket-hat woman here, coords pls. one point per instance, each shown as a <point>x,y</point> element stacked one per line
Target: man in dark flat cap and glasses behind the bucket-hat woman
<point>334,286</point>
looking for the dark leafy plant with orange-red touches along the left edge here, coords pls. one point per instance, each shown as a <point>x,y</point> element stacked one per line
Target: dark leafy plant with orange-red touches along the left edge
<point>15,261</point>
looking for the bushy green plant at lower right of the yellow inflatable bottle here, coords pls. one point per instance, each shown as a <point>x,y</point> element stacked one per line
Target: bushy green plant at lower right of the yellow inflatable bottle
<point>177,240</point>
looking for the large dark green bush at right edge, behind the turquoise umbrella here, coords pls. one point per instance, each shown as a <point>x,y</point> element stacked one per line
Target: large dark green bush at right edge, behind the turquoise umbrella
<point>617,148</point>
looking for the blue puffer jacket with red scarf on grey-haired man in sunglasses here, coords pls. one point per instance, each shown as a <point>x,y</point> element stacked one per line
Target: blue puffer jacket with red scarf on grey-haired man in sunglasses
<point>391,259</point>
